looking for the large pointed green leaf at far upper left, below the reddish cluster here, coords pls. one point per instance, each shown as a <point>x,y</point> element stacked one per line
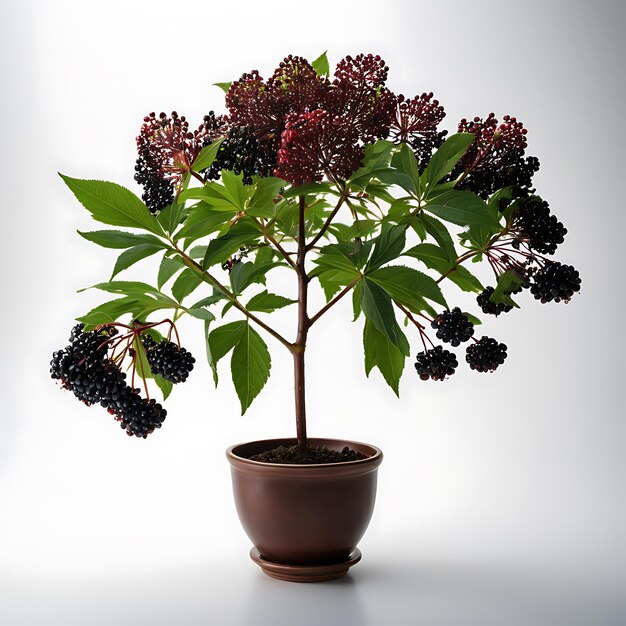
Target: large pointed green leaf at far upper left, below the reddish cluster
<point>113,204</point>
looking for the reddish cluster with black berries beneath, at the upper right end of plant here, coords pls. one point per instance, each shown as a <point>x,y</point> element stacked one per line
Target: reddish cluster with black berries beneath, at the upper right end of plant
<point>495,158</point>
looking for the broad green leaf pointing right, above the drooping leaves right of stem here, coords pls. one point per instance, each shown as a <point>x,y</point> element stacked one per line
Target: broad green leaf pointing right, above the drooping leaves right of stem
<point>408,286</point>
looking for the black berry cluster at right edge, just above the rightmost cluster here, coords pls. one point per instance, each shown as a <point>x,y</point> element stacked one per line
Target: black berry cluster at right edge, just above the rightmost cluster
<point>534,224</point>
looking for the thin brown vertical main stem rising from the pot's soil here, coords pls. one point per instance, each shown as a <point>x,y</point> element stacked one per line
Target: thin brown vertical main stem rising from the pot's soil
<point>303,329</point>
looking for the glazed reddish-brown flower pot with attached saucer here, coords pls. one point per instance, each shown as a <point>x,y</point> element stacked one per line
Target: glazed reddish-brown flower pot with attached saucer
<point>304,521</point>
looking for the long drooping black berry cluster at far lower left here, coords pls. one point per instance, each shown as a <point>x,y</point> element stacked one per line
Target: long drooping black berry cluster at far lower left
<point>84,368</point>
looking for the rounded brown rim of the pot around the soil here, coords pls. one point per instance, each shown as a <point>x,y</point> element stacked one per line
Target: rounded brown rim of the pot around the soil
<point>367,464</point>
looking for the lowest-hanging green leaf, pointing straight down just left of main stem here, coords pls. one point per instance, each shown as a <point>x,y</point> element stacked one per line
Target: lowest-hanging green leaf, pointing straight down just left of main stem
<point>250,366</point>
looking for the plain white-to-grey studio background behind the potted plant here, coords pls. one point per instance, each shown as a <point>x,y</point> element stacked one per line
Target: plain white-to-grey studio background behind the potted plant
<point>501,497</point>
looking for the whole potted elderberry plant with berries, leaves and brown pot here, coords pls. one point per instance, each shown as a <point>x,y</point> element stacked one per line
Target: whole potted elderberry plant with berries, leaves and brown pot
<point>347,187</point>
